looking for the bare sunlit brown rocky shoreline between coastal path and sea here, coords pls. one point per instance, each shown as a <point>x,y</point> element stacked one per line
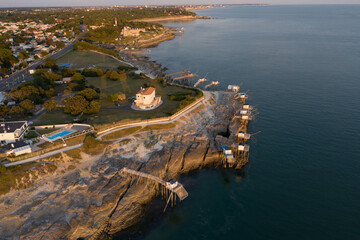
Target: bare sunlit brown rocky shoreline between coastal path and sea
<point>89,198</point>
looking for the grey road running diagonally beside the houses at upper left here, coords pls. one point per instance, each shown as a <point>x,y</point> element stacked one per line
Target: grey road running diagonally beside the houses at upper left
<point>23,75</point>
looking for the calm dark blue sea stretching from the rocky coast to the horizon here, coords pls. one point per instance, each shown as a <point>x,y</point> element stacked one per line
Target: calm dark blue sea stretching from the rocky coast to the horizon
<point>301,65</point>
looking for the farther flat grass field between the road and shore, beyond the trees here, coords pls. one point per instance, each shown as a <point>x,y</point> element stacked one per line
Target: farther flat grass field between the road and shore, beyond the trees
<point>88,59</point>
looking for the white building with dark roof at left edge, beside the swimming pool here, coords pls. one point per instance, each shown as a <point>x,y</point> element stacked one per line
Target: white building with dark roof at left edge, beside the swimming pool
<point>13,131</point>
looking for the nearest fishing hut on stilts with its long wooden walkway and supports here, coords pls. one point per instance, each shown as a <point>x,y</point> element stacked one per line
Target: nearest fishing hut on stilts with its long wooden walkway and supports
<point>171,190</point>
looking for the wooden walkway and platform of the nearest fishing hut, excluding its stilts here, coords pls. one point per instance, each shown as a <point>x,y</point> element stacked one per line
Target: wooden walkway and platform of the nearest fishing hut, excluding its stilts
<point>177,187</point>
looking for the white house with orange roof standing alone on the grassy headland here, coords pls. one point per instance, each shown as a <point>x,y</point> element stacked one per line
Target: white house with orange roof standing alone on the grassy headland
<point>146,99</point>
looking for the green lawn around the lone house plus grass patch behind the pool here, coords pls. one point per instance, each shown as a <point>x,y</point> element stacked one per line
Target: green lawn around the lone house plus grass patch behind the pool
<point>109,113</point>
